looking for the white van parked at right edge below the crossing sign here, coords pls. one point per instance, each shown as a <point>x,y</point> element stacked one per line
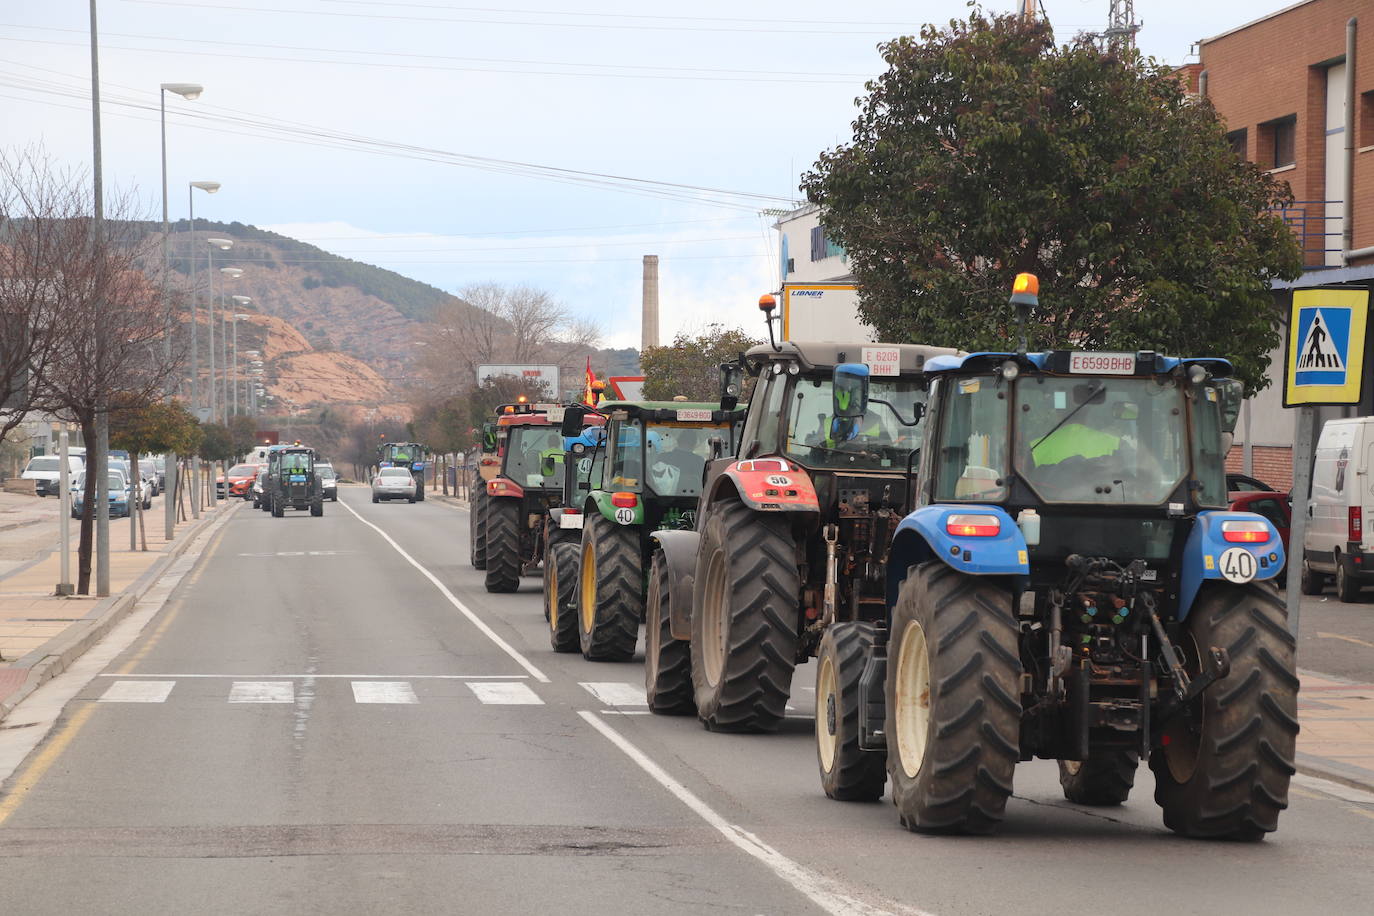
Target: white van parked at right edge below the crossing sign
<point>1340,527</point>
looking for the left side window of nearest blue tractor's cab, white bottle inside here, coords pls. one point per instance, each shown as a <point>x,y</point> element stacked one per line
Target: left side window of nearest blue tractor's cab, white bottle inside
<point>972,463</point>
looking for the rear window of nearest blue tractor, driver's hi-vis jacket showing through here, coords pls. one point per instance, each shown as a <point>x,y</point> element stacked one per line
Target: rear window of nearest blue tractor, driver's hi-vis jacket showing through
<point>1103,440</point>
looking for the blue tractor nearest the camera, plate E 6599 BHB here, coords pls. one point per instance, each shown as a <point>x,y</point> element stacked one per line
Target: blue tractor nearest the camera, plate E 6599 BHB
<point>1071,586</point>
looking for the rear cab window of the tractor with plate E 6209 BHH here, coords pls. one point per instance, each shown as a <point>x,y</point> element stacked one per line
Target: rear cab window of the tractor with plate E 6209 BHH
<point>883,439</point>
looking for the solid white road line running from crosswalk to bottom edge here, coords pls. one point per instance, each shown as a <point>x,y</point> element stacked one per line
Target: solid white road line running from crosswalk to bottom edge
<point>825,893</point>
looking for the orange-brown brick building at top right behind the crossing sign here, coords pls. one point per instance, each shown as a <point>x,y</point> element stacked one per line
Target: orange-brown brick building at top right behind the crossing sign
<point>1296,106</point>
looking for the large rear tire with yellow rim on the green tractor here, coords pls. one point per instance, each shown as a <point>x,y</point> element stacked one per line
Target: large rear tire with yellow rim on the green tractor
<point>611,598</point>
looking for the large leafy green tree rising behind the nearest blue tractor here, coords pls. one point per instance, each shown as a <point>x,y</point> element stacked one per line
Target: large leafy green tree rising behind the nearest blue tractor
<point>986,150</point>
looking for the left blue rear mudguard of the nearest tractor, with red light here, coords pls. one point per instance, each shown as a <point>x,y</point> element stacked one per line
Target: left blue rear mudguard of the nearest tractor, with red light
<point>925,535</point>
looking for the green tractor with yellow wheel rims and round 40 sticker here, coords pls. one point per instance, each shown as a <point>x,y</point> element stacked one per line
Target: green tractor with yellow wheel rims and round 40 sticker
<point>645,479</point>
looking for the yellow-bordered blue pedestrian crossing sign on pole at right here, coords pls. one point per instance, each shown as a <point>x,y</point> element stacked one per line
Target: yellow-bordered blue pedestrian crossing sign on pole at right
<point>1325,354</point>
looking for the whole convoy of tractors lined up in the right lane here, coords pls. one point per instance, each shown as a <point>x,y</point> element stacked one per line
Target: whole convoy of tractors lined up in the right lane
<point>993,557</point>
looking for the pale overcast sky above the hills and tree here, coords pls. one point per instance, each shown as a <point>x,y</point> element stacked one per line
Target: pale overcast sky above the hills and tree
<point>438,98</point>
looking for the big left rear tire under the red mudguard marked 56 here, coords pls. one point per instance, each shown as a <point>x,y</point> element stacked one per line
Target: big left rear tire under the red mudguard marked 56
<point>744,630</point>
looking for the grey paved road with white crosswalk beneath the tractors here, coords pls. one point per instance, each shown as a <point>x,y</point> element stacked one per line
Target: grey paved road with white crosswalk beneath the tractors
<point>315,726</point>
